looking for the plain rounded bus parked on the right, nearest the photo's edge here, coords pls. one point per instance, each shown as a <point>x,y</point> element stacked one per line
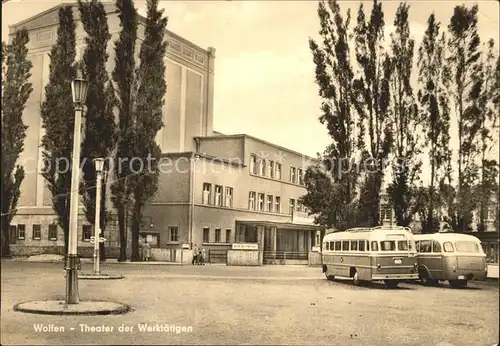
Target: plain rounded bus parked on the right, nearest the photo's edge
<point>453,257</point>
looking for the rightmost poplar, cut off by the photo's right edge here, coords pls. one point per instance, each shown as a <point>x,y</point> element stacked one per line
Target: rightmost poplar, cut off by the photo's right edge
<point>489,106</point>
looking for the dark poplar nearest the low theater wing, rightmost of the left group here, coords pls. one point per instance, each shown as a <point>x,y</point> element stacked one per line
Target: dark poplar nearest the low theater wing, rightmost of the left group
<point>148,116</point>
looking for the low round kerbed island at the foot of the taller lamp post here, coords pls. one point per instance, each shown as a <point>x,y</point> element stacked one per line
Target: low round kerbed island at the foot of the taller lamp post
<point>58,307</point>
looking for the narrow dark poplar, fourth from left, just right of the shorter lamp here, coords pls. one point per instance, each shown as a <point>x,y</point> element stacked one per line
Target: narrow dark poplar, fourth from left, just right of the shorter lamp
<point>125,80</point>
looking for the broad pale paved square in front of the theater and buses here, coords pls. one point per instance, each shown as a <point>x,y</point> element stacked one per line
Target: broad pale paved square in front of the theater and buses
<point>216,304</point>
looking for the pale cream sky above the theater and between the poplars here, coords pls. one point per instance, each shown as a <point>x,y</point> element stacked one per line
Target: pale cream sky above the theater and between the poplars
<point>264,73</point>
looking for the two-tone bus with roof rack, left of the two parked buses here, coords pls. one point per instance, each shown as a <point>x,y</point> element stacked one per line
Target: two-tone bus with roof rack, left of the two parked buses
<point>371,254</point>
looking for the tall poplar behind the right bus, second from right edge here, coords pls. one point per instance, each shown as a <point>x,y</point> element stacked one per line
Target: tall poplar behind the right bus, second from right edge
<point>464,61</point>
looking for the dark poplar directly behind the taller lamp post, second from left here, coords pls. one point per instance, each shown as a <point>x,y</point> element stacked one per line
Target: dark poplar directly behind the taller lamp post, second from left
<point>57,114</point>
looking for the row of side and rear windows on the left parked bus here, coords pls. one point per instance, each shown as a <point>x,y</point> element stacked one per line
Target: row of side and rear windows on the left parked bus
<point>365,245</point>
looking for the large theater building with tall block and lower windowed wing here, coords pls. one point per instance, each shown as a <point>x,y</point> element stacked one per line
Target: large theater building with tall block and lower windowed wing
<point>219,189</point>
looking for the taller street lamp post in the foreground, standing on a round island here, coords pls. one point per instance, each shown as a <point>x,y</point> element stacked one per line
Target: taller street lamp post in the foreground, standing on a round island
<point>79,93</point>
